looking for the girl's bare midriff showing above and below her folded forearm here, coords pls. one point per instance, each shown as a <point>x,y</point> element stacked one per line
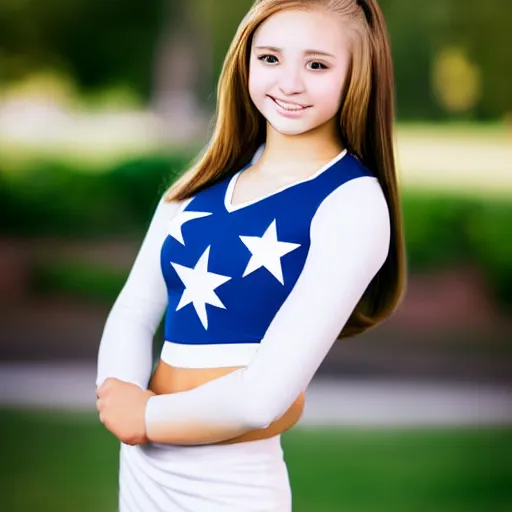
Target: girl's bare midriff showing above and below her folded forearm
<point>169,379</point>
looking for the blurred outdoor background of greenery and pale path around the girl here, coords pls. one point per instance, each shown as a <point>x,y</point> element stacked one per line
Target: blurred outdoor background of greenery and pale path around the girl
<point>104,103</point>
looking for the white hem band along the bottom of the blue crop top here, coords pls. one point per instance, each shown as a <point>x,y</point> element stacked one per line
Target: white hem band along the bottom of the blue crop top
<point>216,355</point>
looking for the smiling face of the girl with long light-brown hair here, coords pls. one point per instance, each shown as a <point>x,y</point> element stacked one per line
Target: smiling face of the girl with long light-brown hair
<point>298,66</point>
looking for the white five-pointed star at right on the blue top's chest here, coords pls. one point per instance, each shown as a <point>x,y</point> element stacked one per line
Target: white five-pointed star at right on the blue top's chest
<point>267,252</point>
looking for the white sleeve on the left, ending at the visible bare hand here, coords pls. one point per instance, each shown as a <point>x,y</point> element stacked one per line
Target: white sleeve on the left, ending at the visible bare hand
<point>126,345</point>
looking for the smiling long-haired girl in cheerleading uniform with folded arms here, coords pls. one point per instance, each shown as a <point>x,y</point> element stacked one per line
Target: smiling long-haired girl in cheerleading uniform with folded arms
<point>284,236</point>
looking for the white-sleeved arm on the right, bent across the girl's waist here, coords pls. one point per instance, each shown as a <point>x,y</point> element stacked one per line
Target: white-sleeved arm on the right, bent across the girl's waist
<point>350,236</point>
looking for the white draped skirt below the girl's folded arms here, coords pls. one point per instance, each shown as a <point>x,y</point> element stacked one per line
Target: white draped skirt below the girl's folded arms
<point>240,477</point>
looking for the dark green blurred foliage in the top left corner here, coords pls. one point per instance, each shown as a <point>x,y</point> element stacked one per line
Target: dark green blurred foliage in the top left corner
<point>98,43</point>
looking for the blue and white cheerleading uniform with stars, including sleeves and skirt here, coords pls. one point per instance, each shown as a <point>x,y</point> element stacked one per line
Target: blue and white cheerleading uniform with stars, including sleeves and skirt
<point>268,285</point>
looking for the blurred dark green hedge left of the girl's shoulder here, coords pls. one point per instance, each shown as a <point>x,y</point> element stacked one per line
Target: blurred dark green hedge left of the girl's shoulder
<point>52,198</point>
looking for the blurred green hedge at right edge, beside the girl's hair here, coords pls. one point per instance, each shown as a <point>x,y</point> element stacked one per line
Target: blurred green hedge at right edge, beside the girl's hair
<point>444,231</point>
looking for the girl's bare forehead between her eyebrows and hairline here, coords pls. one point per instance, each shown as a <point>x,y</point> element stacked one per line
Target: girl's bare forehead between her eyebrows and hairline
<point>296,29</point>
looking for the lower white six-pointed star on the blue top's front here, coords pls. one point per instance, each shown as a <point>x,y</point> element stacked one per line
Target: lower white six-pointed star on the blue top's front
<point>199,286</point>
